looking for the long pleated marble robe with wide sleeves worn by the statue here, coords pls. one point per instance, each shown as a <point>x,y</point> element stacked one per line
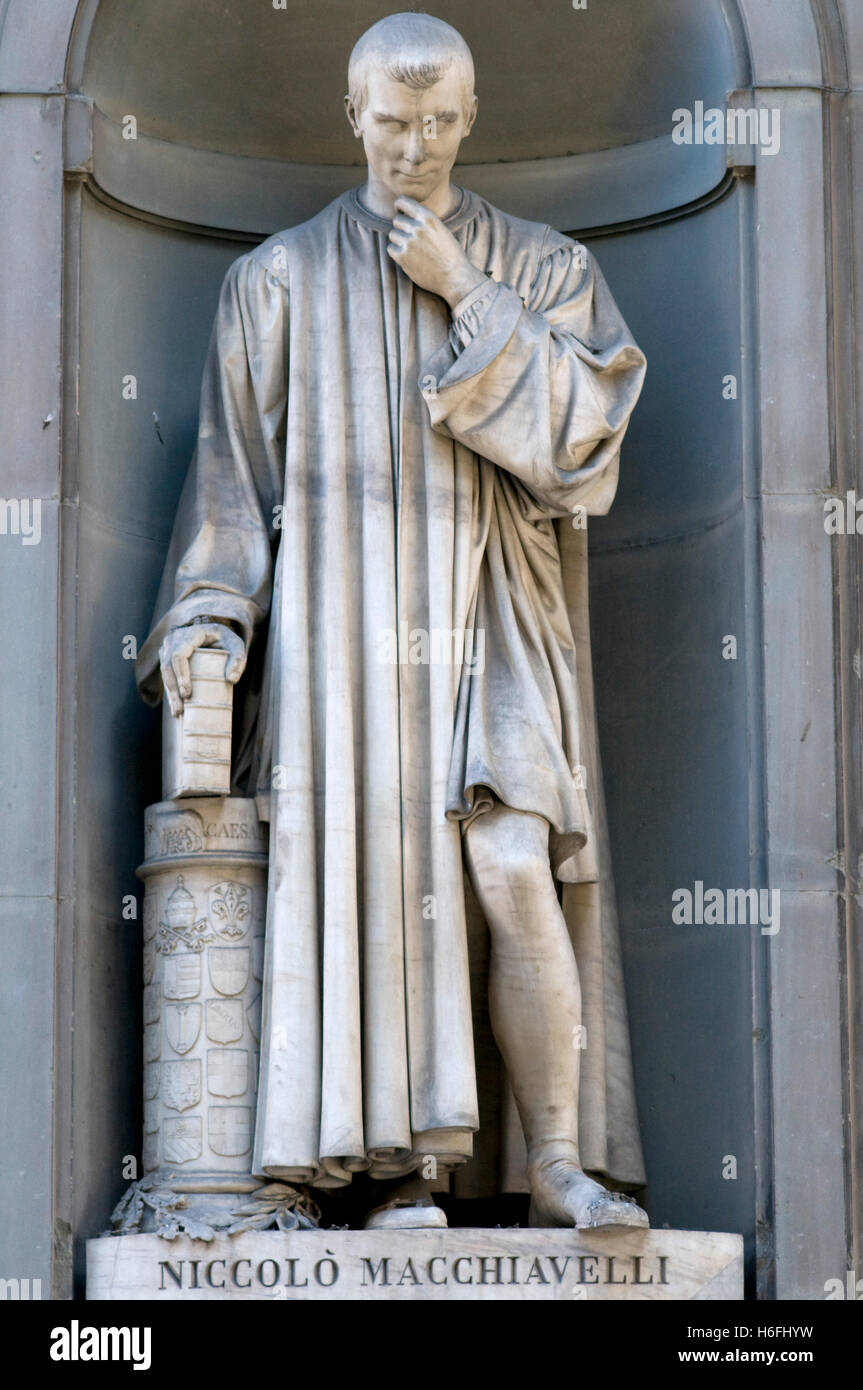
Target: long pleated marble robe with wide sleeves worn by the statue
<point>383,484</point>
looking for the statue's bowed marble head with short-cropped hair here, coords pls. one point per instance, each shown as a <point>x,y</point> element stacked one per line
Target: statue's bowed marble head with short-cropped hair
<point>412,102</point>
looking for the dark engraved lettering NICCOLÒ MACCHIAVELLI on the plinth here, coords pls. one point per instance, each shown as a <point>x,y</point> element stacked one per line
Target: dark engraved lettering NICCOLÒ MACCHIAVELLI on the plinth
<point>390,1273</point>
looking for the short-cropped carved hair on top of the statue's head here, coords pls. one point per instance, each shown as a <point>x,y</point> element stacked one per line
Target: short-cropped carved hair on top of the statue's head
<point>412,48</point>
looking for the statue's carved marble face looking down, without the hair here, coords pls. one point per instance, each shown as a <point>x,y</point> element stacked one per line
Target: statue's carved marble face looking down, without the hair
<point>412,137</point>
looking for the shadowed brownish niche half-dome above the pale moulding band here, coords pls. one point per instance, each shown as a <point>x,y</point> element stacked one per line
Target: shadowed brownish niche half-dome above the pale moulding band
<point>554,81</point>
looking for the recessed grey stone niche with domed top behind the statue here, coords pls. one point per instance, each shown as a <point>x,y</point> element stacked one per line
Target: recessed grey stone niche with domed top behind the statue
<point>238,131</point>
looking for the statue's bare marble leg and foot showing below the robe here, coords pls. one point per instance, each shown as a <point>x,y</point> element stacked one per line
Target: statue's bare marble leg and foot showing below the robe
<point>536,1011</point>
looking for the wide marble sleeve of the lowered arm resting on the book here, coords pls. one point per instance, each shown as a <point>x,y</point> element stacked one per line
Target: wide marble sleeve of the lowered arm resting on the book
<point>220,559</point>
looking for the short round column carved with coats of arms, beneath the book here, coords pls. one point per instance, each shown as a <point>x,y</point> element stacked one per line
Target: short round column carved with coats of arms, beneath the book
<point>204,963</point>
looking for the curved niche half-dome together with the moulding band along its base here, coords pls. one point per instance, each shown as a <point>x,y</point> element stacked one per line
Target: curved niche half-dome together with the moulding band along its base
<point>241,124</point>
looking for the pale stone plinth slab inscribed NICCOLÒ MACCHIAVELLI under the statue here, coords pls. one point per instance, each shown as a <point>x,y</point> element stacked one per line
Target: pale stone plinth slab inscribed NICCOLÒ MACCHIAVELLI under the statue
<point>455,1266</point>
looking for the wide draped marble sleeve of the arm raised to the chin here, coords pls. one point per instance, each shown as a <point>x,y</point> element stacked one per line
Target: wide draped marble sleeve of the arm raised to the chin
<point>543,387</point>
